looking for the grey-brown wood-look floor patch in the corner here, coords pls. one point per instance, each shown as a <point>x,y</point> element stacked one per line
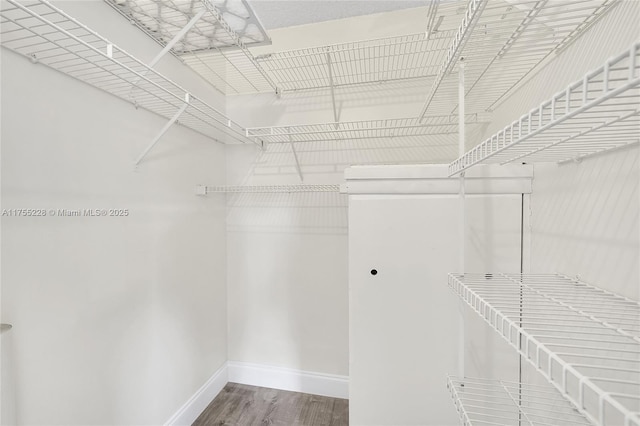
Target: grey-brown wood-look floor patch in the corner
<point>243,405</point>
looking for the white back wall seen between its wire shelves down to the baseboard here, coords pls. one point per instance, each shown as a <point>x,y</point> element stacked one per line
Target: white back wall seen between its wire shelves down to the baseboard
<point>287,253</point>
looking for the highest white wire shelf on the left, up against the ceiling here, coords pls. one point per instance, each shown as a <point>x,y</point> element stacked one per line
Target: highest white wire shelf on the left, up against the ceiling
<point>215,46</point>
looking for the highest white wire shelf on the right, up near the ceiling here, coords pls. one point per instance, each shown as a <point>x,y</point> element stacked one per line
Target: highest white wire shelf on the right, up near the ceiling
<point>502,44</point>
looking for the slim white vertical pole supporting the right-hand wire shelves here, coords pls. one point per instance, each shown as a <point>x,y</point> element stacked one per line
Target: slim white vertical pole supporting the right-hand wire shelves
<point>461,245</point>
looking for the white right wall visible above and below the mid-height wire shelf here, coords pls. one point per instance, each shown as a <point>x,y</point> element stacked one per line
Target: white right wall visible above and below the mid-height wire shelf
<point>585,215</point>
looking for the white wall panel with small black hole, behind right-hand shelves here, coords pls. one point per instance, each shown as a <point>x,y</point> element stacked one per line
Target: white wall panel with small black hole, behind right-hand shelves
<point>404,321</point>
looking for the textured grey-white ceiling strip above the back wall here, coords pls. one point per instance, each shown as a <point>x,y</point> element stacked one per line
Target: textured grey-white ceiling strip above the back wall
<point>278,13</point>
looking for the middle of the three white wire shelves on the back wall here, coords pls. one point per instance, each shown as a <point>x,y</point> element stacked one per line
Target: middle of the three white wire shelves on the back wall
<point>397,129</point>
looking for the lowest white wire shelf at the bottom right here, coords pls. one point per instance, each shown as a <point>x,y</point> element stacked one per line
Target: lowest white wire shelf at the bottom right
<point>497,402</point>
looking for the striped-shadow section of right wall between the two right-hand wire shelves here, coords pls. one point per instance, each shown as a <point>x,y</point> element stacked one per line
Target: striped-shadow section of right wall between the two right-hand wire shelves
<point>585,220</point>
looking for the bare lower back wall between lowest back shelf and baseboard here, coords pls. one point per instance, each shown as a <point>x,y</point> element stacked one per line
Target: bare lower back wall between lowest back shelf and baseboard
<point>287,278</point>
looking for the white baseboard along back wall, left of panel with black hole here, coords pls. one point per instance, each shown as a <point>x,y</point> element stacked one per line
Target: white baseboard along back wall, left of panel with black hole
<point>289,379</point>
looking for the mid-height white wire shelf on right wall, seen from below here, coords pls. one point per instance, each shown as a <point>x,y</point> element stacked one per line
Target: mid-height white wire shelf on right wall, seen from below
<point>592,115</point>
